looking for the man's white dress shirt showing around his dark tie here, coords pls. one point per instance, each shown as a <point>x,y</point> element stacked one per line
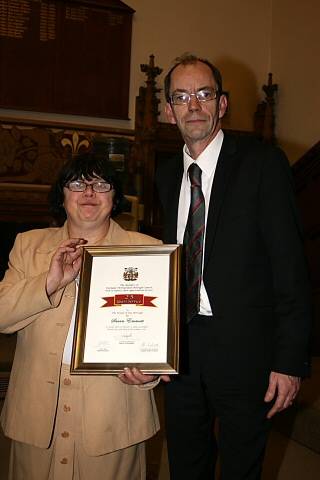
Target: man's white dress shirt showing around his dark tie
<point>207,161</point>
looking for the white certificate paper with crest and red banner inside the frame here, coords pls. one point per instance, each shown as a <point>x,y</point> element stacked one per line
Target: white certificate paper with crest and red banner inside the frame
<point>128,310</point>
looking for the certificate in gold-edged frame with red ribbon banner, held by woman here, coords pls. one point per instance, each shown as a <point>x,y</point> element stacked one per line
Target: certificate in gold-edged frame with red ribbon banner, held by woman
<point>128,310</point>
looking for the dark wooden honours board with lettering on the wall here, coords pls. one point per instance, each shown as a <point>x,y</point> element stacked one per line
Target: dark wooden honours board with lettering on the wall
<point>66,56</point>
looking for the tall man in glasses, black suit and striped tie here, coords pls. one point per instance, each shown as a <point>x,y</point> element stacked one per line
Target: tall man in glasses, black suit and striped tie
<point>246,310</point>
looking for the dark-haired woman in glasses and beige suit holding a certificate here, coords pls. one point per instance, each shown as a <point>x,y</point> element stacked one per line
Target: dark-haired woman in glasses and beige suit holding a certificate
<point>66,427</point>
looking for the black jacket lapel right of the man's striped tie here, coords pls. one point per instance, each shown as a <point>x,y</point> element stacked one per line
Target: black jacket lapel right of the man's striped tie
<point>225,166</point>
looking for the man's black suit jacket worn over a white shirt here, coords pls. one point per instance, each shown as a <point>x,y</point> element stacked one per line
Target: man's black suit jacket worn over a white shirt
<point>254,267</point>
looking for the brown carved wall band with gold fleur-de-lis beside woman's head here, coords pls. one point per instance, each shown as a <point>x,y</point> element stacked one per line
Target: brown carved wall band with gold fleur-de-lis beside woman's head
<point>30,158</point>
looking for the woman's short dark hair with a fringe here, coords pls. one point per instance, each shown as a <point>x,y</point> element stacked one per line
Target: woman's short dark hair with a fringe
<point>86,166</point>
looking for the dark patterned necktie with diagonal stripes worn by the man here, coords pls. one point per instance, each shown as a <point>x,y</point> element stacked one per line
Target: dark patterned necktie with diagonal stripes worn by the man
<point>193,242</point>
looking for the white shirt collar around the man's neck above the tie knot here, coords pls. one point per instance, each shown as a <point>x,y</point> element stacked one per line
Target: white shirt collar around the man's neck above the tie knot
<point>207,159</point>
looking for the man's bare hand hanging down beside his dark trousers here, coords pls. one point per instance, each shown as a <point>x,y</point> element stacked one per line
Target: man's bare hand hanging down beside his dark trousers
<point>284,388</point>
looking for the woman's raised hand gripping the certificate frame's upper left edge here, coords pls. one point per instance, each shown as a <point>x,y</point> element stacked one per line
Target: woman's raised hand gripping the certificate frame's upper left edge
<point>65,264</point>
